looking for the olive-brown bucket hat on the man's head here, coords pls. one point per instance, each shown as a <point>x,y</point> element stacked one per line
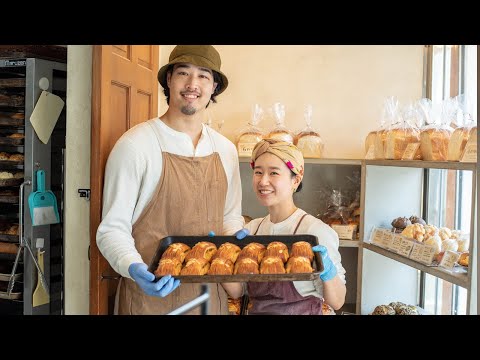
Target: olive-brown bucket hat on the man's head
<point>199,55</point>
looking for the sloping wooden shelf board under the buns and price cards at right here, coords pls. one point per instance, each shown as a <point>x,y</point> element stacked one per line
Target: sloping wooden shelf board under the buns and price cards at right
<point>457,278</point>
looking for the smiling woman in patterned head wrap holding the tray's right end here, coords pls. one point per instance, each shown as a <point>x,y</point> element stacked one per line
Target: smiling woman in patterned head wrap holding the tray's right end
<point>278,169</point>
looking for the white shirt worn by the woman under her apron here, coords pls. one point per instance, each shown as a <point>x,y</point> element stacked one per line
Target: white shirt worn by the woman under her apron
<point>309,226</point>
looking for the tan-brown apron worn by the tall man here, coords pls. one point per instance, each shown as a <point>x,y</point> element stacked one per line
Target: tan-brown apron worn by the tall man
<point>188,200</point>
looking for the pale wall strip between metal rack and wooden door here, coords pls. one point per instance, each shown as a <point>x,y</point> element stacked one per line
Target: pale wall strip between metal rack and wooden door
<point>77,169</point>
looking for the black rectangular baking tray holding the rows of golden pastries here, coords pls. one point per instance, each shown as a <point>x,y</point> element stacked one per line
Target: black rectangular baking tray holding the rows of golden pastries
<point>219,240</point>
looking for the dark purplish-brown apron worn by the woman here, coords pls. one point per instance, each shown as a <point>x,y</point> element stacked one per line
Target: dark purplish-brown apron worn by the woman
<point>281,298</point>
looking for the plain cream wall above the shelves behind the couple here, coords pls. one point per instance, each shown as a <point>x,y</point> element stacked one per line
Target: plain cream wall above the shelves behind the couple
<point>346,84</point>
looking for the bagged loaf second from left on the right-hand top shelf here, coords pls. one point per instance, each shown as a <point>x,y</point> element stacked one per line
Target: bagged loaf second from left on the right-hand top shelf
<point>397,141</point>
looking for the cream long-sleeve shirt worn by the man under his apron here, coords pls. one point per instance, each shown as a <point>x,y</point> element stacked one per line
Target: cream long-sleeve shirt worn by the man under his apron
<point>132,173</point>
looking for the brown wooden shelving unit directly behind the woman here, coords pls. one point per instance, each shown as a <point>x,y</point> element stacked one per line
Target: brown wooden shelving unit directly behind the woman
<point>321,176</point>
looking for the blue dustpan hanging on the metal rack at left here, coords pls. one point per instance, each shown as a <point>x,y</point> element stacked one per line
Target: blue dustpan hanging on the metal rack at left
<point>43,204</point>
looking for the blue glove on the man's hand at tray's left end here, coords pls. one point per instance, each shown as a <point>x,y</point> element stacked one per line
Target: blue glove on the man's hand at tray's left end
<point>146,280</point>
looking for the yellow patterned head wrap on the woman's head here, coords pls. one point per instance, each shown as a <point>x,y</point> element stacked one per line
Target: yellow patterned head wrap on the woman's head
<point>286,151</point>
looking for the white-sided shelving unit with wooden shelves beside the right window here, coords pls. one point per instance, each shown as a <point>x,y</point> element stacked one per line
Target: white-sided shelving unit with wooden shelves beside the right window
<point>399,188</point>
